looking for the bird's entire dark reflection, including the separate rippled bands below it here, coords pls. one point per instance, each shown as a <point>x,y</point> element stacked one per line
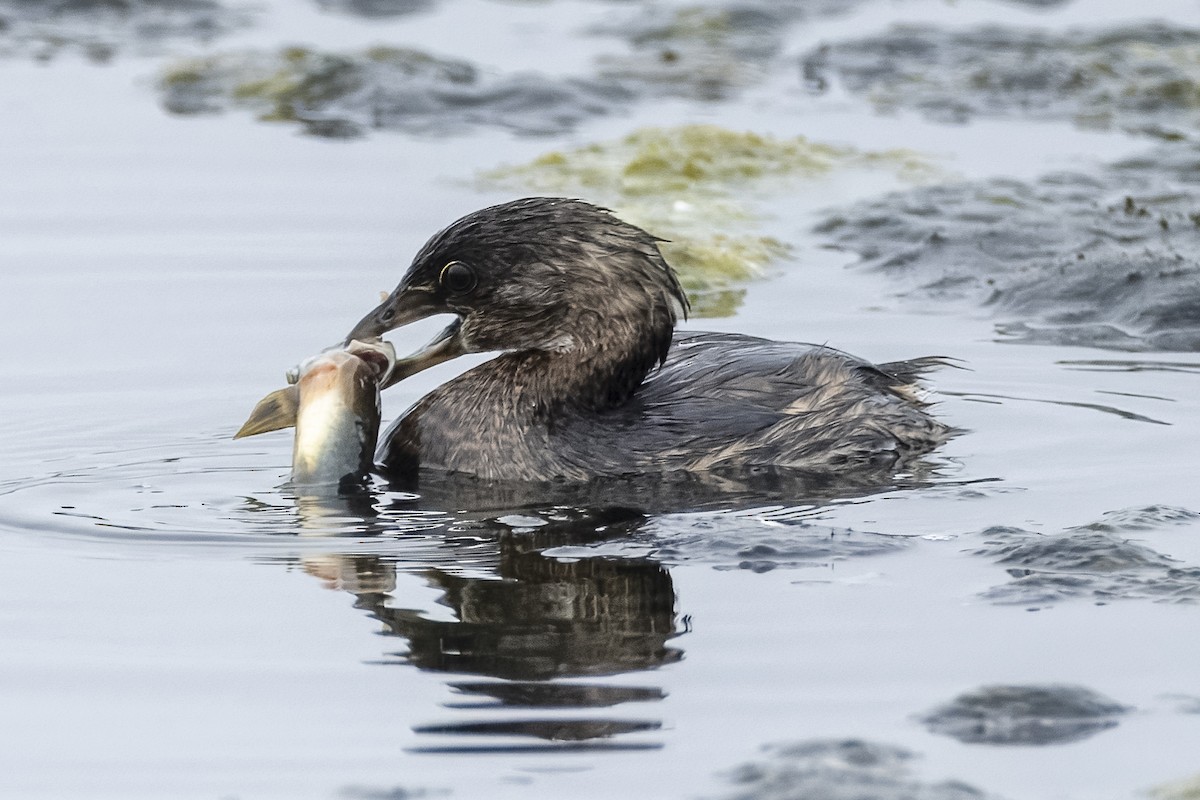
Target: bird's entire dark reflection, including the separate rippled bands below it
<point>542,621</point>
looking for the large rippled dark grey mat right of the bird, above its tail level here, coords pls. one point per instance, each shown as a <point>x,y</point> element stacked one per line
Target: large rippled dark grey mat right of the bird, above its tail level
<point>1109,261</point>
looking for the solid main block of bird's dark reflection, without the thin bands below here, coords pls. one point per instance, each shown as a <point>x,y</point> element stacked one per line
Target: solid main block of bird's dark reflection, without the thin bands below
<point>545,618</point>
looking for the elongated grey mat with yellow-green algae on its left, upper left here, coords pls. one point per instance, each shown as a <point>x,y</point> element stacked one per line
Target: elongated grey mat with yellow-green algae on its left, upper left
<point>337,94</point>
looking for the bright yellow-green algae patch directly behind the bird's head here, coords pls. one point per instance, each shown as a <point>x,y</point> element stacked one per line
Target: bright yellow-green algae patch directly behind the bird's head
<point>697,187</point>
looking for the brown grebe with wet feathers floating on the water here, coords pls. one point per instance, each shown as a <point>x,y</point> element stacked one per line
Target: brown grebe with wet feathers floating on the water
<point>583,308</point>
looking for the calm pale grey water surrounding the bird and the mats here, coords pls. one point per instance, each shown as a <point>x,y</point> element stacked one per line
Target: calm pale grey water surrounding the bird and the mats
<point>177,624</point>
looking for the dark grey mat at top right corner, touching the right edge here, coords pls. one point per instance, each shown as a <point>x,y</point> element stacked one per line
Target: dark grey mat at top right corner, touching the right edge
<point>1143,79</point>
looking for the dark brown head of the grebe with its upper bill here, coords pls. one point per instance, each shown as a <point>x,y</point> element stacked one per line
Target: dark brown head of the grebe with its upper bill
<point>541,275</point>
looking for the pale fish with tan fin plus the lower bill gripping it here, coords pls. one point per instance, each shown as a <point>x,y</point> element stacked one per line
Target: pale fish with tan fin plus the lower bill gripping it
<point>334,404</point>
